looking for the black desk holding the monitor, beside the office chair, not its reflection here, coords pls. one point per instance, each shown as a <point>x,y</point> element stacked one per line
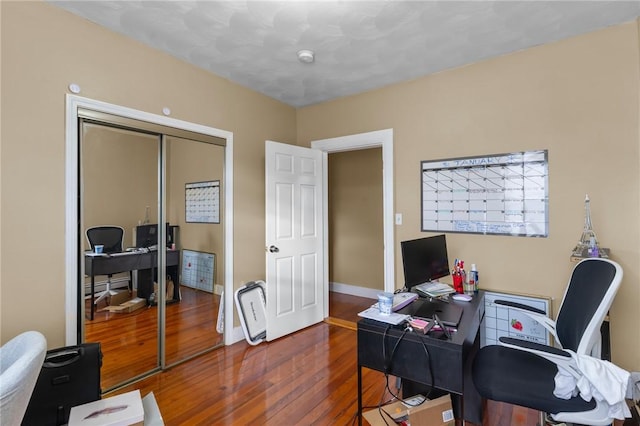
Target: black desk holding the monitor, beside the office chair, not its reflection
<point>451,360</point>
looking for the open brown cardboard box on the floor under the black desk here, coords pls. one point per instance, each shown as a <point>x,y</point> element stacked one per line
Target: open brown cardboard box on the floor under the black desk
<point>435,412</point>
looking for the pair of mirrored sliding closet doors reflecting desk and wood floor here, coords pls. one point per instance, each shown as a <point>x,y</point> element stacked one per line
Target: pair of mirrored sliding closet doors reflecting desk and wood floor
<point>137,179</point>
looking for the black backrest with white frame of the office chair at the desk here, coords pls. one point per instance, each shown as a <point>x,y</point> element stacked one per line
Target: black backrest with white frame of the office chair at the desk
<point>592,287</point>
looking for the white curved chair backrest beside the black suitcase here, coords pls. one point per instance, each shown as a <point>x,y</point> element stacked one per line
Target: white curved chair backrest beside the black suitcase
<point>21,360</point>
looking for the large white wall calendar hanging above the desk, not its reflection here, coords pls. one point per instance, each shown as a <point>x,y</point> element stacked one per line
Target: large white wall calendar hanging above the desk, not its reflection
<point>503,194</point>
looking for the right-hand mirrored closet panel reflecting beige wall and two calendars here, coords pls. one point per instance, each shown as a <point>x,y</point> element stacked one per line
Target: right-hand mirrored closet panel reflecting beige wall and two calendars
<point>191,324</point>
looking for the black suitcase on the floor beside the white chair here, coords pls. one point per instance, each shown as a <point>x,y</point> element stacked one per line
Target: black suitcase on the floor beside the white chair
<point>69,376</point>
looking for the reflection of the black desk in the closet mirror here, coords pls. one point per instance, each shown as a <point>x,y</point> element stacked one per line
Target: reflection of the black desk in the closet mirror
<point>143,262</point>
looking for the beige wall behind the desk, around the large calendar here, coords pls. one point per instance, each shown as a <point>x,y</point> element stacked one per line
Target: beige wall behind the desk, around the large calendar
<point>577,98</point>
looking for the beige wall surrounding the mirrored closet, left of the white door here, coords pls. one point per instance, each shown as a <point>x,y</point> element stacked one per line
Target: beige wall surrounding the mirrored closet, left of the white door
<point>44,49</point>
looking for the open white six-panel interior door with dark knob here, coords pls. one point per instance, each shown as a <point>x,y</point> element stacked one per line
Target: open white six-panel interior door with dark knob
<point>294,238</point>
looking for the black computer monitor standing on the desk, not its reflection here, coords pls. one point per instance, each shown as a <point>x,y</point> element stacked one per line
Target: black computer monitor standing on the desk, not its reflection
<point>424,260</point>
